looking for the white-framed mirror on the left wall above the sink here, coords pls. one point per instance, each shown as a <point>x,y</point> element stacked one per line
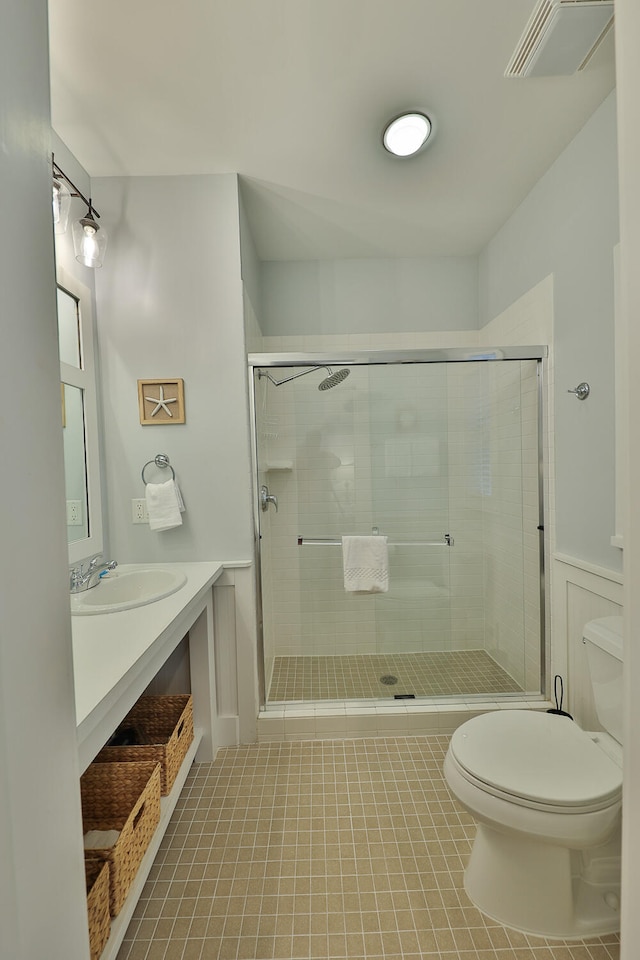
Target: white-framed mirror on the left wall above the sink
<point>78,398</point>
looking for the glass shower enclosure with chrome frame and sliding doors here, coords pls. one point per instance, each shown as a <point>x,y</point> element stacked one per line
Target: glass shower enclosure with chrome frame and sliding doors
<point>441,453</point>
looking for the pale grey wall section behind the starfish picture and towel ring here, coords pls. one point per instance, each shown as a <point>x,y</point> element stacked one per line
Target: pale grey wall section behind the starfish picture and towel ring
<point>170,305</point>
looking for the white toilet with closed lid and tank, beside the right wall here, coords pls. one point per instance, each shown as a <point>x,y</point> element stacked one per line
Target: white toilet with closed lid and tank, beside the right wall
<point>547,798</point>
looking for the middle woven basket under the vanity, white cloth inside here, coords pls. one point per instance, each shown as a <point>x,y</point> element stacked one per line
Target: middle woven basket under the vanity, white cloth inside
<point>124,797</point>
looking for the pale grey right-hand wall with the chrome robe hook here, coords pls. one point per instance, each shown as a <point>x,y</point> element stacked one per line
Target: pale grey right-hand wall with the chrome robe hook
<point>568,227</point>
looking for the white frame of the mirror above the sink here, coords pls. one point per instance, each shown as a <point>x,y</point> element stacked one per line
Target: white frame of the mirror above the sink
<point>85,378</point>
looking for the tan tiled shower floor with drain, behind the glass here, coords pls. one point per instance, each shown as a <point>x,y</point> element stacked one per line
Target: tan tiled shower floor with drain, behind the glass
<point>441,674</point>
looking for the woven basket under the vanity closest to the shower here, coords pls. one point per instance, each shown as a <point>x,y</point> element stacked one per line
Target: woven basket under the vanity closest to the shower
<point>166,724</point>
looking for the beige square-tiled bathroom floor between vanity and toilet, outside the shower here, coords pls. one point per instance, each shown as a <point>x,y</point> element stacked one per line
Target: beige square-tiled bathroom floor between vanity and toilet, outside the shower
<point>325,849</point>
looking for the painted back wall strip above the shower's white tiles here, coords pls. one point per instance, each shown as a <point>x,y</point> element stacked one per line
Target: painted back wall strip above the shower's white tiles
<point>369,296</point>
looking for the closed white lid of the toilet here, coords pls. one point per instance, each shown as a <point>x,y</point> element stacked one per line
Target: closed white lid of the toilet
<point>538,757</point>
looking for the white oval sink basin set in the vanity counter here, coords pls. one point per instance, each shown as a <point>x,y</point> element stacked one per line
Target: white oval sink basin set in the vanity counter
<point>127,589</point>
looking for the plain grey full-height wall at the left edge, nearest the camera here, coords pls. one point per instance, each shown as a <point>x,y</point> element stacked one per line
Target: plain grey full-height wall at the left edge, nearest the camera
<point>42,908</point>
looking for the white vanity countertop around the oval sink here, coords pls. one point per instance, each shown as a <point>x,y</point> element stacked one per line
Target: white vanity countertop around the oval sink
<point>115,655</point>
